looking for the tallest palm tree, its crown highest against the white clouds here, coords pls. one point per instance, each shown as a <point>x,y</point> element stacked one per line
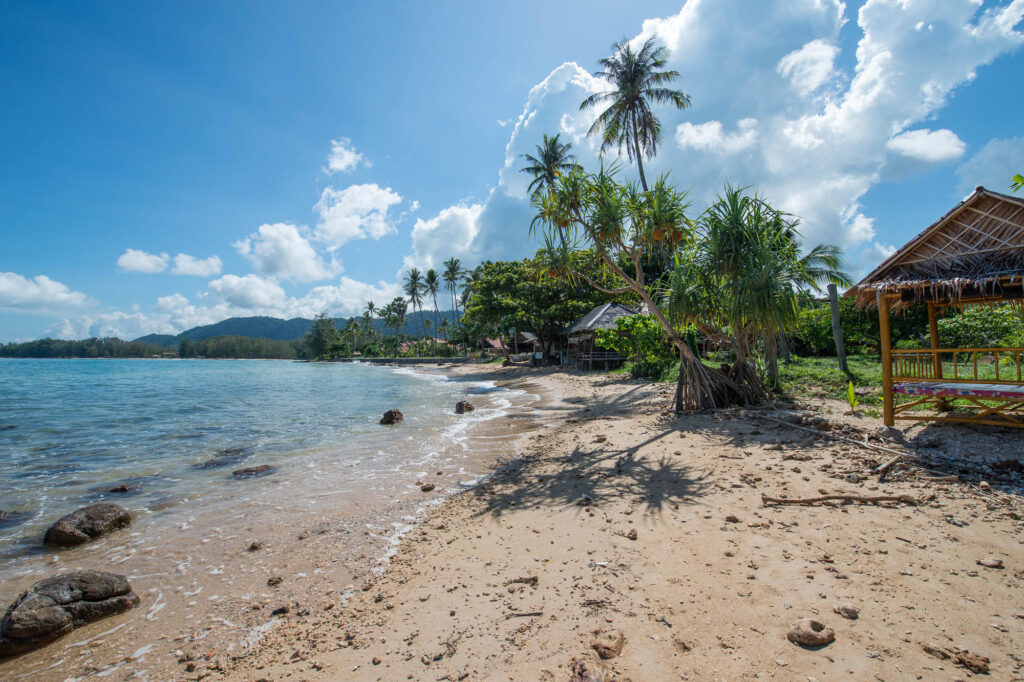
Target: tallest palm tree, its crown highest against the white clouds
<point>639,81</point>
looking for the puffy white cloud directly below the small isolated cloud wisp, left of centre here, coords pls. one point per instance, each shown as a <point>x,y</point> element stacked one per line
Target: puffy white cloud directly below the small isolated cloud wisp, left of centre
<point>358,212</point>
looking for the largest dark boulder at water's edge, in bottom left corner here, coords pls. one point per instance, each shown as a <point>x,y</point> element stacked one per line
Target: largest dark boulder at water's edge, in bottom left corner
<point>52,609</point>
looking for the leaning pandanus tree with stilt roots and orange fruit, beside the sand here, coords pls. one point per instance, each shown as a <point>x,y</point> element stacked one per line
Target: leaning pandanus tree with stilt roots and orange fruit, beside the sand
<point>623,226</point>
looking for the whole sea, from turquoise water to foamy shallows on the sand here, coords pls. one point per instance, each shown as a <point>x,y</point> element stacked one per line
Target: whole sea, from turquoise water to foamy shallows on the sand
<point>163,439</point>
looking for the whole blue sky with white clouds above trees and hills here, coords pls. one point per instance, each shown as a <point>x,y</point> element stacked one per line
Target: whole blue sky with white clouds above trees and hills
<point>164,166</point>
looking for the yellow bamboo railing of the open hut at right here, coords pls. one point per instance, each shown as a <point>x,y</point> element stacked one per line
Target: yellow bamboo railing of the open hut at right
<point>970,366</point>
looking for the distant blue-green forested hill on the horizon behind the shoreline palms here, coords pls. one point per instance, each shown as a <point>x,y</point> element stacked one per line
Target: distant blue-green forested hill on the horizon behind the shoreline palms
<point>279,330</point>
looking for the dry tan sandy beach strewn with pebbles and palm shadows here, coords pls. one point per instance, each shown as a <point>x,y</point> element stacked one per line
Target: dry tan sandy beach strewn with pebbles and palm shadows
<point>622,517</point>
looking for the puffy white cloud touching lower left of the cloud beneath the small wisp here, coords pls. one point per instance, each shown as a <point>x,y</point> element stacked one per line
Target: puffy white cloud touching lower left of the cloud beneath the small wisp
<point>280,250</point>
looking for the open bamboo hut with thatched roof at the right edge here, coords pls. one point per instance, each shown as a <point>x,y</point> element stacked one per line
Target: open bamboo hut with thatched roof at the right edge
<point>974,255</point>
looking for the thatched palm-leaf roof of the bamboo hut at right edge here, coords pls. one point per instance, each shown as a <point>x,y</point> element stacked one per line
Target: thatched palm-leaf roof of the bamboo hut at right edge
<point>974,252</point>
